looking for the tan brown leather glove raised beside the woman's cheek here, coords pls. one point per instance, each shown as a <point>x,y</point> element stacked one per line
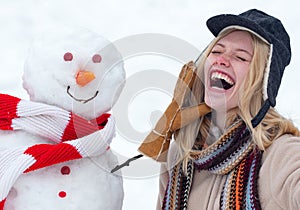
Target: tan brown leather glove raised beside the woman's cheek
<point>156,144</point>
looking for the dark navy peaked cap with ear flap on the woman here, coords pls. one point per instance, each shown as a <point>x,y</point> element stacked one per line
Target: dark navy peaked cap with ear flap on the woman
<point>270,29</point>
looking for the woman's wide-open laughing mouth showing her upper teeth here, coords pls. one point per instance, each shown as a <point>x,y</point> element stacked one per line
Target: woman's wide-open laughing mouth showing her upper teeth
<point>221,80</point>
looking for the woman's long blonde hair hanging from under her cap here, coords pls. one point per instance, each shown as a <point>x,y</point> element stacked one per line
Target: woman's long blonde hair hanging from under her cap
<point>250,101</point>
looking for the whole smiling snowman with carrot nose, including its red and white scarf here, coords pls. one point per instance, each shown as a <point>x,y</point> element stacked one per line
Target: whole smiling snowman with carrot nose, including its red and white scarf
<point>54,147</point>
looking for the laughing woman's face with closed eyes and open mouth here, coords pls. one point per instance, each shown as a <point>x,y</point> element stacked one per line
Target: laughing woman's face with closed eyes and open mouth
<point>226,68</point>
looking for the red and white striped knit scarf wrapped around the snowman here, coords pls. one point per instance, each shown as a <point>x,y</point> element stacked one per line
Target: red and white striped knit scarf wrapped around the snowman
<point>73,138</point>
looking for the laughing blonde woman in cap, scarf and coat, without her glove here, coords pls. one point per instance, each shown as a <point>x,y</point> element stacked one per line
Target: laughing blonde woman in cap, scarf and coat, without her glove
<point>244,154</point>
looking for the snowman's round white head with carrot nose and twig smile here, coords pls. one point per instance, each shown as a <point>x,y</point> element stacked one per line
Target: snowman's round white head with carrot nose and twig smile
<point>77,70</point>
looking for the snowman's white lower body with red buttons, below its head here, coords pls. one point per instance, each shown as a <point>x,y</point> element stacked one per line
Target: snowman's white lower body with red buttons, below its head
<point>78,184</point>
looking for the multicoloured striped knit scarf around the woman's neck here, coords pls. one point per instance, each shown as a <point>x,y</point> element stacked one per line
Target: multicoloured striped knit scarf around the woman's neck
<point>233,155</point>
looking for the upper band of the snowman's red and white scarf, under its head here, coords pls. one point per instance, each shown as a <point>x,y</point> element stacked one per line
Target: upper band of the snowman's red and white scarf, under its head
<point>45,120</point>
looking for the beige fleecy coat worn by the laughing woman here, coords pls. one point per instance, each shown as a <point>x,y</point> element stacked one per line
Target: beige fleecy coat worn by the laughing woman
<point>279,180</point>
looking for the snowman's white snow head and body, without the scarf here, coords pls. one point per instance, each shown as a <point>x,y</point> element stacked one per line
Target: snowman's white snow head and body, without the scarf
<point>53,75</point>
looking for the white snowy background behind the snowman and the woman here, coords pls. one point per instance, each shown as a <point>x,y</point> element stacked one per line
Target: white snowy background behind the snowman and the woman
<point>22,21</point>
